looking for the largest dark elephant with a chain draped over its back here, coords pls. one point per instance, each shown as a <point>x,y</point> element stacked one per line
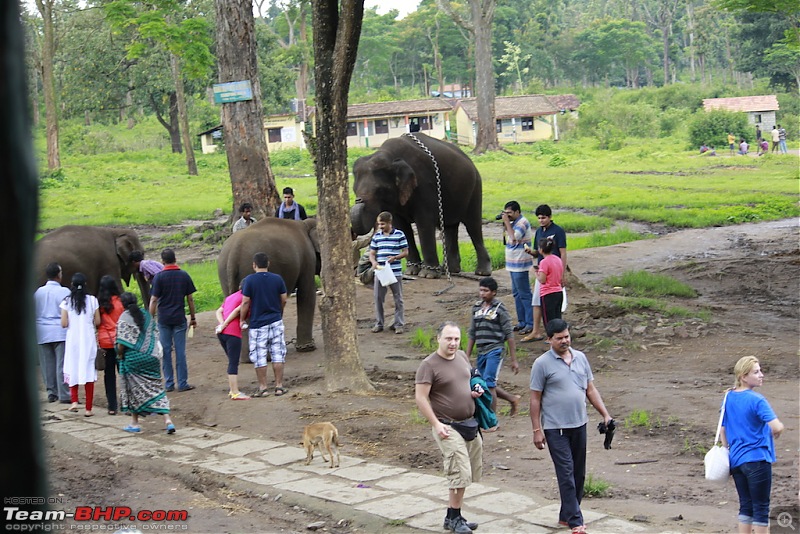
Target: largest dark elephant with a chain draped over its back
<point>400,178</point>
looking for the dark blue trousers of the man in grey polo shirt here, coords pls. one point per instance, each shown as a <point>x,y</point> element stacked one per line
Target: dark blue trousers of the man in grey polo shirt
<point>567,448</point>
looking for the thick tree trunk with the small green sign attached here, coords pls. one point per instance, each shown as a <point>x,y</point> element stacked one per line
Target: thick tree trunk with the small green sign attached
<point>243,122</point>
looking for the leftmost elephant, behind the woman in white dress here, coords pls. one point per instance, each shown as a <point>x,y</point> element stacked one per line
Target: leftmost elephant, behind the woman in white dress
<point>94,251</point>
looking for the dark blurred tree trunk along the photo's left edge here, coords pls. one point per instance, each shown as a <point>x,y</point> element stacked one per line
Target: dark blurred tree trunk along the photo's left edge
<point>24,471</point>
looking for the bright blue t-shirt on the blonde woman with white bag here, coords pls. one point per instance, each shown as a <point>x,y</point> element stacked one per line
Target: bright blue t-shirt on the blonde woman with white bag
<point>745,421</point>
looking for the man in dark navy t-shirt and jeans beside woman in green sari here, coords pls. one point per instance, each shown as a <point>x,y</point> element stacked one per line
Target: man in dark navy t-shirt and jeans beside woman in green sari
<point>171,287</point>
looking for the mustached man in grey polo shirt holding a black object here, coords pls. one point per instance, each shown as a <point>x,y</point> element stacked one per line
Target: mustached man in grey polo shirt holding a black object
<point>561,381</point>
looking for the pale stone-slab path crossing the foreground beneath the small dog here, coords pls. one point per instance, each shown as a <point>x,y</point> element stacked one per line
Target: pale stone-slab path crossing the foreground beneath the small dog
<point>398,495</point>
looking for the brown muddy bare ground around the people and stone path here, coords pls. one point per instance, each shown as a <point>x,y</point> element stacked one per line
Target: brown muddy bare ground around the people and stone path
<point>675,368</point>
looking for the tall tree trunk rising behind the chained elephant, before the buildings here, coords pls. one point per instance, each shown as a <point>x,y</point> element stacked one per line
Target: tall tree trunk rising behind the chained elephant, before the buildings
<point>482,16</point>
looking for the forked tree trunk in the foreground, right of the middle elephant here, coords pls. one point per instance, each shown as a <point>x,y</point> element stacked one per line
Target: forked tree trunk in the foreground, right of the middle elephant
<point>336,34</point>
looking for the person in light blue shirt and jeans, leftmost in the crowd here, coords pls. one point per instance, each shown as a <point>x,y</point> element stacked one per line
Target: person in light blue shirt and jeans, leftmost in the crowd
<point>50,335</point>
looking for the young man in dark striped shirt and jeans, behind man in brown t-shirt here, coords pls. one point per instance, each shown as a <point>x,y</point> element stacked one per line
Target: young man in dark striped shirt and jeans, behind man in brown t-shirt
<point>489,330</point>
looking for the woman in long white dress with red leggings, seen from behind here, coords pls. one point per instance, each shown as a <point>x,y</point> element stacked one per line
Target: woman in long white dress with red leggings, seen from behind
<point>80,315</point>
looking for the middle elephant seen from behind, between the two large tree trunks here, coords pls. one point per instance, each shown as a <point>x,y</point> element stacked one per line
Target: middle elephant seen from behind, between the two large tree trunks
<point>293,250</point>
